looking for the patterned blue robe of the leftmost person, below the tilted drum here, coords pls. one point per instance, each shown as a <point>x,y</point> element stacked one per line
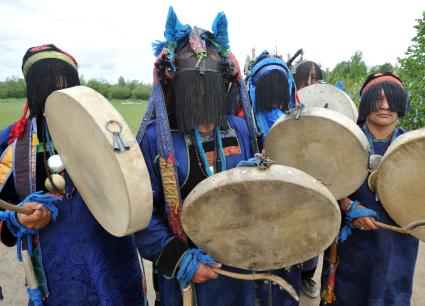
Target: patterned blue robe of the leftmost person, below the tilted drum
<point>85,265</point>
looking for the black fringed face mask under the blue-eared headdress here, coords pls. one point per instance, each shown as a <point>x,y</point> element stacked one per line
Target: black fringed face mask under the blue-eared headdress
<point>200,93</point>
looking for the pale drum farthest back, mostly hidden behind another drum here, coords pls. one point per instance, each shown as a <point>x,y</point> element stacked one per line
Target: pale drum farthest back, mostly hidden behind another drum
<point>330,97</point>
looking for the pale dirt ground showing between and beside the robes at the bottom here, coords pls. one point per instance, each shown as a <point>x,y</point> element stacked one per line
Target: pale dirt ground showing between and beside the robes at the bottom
<point>12,280</point>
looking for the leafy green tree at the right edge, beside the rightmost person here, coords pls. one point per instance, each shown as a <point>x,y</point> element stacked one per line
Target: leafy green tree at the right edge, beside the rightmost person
<point>412,72</point>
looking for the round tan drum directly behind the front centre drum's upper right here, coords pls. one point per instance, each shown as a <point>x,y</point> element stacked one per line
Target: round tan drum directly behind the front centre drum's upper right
<point>325,144</point>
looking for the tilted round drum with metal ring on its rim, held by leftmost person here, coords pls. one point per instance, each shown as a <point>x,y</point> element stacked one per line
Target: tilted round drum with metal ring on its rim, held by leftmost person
<point>114,184</point>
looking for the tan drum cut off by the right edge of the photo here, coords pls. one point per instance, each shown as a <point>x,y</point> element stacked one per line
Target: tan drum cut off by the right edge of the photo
<point>401,180</point>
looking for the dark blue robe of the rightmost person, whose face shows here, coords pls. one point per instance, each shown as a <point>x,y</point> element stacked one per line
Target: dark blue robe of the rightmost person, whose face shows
<point>375,267</point>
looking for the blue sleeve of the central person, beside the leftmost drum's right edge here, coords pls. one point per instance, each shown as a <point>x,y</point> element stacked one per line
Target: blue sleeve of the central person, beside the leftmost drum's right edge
<point>151,240</point>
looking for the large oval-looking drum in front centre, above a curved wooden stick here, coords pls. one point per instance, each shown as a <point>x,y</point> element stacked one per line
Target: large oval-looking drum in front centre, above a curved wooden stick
<point>261,219</point>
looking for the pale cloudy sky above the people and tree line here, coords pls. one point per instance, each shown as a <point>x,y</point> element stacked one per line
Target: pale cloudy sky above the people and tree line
<point>110,39</point>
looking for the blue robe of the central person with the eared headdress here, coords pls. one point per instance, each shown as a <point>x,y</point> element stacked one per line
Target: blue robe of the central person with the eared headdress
<point>223,291</point>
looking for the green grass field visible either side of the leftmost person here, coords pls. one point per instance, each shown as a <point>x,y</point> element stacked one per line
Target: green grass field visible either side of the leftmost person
<point>131,110</point>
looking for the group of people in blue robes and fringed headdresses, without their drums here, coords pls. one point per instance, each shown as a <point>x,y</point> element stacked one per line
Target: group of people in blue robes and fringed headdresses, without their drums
<point>197,78</point>
